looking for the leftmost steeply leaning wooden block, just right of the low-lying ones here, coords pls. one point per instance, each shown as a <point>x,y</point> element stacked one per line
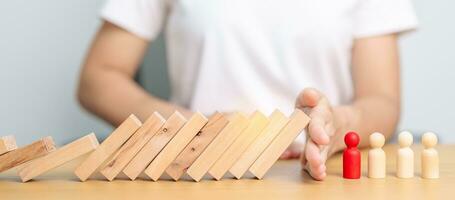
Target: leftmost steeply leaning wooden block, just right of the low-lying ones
<point>111,144</point>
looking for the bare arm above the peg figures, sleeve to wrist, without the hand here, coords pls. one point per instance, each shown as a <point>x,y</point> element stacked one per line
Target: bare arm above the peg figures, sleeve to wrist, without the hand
<point>376,76</point>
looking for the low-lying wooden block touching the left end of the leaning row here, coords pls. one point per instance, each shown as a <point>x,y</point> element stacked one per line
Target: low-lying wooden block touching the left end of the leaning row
<point>58,157</point>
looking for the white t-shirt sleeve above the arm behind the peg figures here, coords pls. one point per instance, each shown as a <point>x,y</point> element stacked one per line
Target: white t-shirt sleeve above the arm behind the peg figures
<point>380,17</point>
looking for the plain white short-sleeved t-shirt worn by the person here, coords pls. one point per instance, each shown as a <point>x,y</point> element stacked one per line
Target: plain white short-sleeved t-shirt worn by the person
<point>245,55</point>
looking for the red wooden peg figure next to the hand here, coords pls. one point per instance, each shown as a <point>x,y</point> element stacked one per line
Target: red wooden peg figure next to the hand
<point>351,156</point>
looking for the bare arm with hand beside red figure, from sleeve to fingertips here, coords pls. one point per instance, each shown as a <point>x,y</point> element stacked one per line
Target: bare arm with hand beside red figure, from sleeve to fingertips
<point>375,108</point>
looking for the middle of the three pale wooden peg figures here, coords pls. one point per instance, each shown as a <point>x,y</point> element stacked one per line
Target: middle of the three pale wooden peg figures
<point>405,156</point>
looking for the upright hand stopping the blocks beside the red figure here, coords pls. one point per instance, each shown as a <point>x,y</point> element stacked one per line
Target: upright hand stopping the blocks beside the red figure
<point>323,135</point>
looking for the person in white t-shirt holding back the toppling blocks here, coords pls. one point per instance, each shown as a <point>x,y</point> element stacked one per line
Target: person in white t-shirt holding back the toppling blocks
<point>336,60</point>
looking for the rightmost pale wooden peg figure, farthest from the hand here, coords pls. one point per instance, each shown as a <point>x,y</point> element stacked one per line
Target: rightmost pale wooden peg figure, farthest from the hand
<point>429,157</point>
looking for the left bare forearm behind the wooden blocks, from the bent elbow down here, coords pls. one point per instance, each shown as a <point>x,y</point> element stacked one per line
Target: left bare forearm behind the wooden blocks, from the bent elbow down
<point>113,96</point>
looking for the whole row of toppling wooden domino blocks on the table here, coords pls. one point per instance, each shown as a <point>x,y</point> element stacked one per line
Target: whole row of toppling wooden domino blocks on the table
<point>234,143</point>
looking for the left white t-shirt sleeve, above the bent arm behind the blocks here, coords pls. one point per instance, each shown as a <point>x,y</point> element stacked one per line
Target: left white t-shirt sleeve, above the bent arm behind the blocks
<point>144,18</point>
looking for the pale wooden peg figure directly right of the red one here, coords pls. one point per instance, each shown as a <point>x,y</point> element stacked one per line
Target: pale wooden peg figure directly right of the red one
<point>376,156</point>
